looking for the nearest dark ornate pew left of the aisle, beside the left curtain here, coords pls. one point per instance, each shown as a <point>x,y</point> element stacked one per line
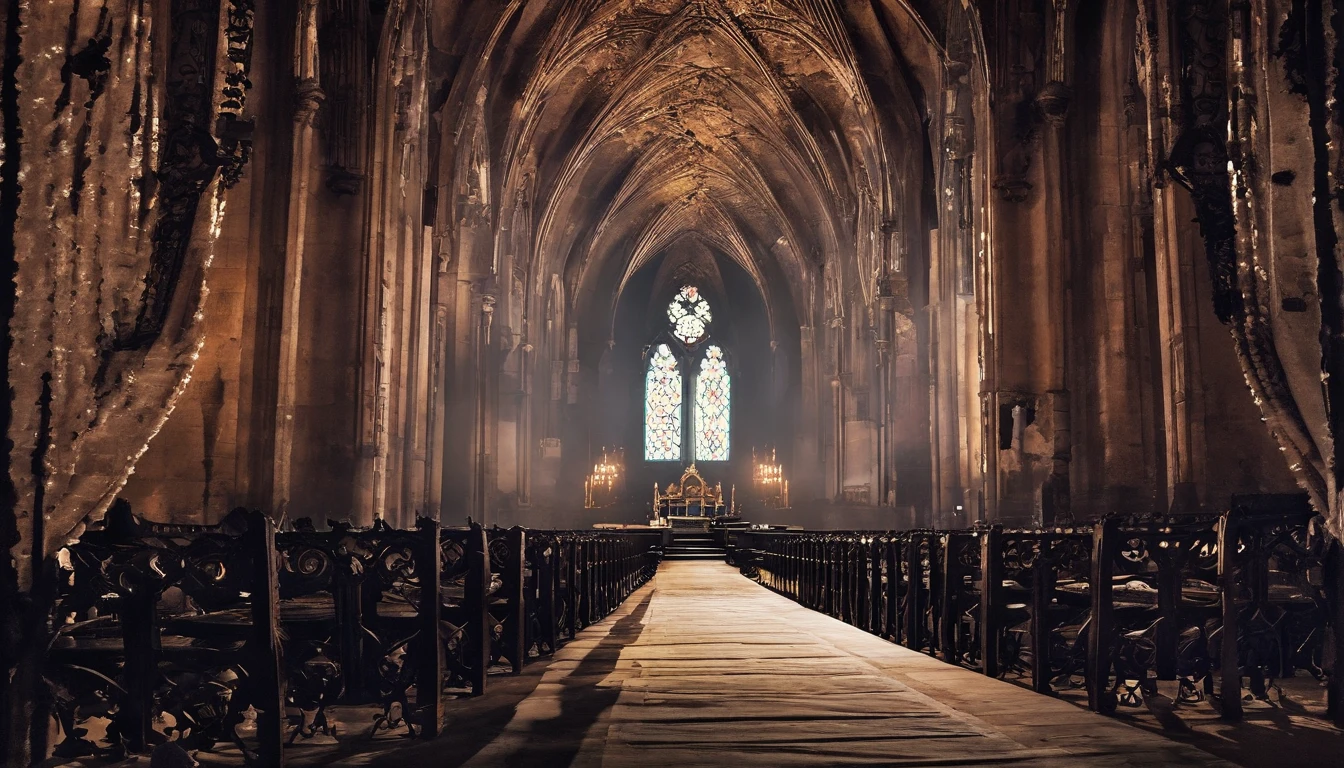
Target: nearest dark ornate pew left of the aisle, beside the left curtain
<point>216,571</point>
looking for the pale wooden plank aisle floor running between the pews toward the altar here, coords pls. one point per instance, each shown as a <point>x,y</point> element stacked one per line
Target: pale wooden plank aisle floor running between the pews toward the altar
<point>706,668</point>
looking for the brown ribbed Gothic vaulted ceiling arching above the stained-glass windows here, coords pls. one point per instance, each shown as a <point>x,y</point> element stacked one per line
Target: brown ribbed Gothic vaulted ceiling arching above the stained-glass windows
<point>600,134</point>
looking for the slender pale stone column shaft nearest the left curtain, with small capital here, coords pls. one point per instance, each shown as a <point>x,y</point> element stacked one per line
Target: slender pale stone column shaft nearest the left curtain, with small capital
<point>308,99</point>
